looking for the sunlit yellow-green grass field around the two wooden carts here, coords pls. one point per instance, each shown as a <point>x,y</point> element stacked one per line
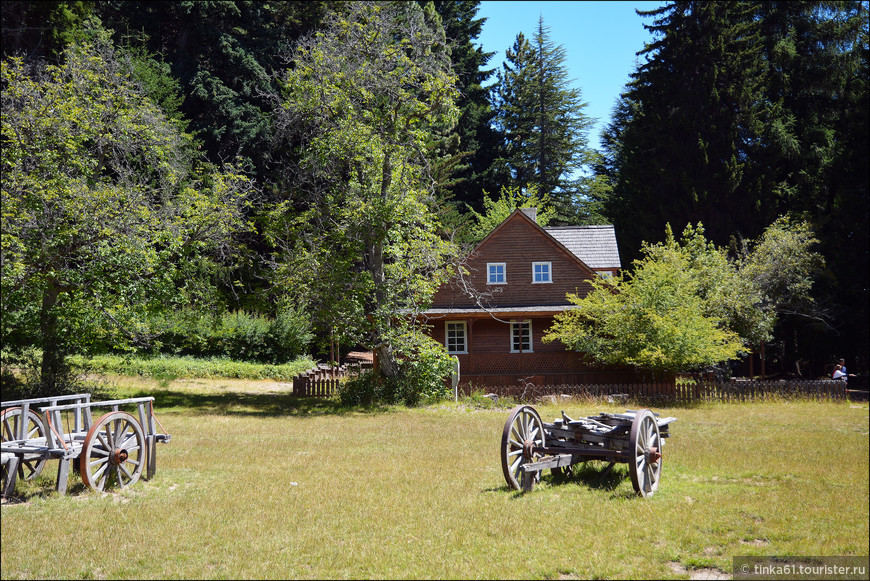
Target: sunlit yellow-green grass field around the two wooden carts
<point>258,484</point>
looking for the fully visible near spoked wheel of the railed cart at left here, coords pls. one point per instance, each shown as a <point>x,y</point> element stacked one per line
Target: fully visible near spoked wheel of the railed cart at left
<point>113,452</point>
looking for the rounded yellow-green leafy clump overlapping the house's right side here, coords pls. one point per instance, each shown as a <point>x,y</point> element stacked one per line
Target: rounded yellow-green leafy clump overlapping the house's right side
<point>686,305</point>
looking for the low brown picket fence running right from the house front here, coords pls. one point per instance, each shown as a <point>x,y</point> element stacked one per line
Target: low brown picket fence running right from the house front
<point>682,393</point>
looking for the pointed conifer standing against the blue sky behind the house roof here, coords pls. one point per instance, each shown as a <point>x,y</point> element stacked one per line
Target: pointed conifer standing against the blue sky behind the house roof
<point>541,117</point>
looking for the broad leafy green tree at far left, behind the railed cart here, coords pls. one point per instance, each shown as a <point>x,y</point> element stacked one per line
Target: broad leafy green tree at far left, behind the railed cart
<point>104,205</point>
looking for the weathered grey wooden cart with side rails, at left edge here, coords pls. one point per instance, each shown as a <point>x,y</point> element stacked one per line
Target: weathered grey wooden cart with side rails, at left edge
<point>111,451</point>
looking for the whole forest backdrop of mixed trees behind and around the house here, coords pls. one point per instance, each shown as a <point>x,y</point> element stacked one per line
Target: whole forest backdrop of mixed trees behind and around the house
<point>266,180</point>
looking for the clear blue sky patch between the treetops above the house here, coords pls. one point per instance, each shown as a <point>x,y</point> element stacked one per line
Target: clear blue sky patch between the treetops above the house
<point>600,41</point>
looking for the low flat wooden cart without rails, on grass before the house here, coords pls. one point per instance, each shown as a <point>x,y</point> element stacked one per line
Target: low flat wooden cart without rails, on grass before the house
<point>636,438</point>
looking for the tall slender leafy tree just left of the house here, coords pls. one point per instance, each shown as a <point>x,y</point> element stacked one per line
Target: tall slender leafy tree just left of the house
<point>366,99</point>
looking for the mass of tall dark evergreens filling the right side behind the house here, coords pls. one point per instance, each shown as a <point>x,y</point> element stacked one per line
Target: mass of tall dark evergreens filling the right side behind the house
<point>742,112</point>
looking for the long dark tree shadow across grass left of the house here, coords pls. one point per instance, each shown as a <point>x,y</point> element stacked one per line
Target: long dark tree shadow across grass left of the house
<point>252,404</point>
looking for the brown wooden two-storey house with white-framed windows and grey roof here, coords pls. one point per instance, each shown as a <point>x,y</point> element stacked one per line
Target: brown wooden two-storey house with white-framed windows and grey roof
<point>494,318</point>
